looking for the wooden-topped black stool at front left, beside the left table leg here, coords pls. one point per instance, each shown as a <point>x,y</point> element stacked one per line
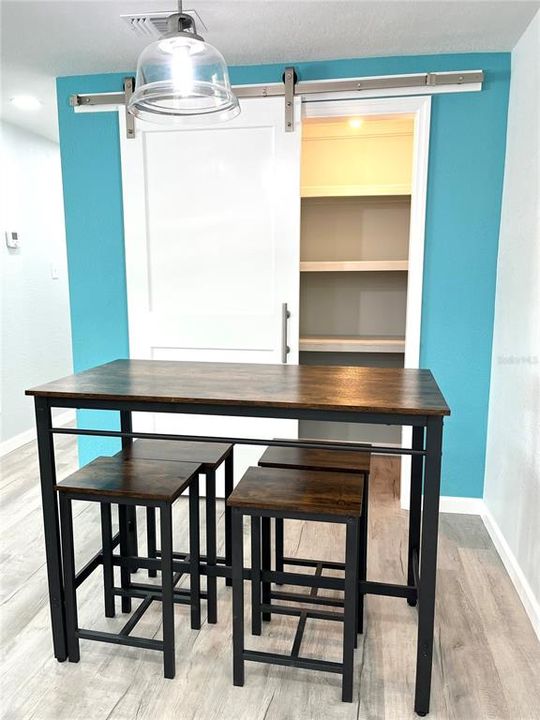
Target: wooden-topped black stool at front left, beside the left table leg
<point>129,483</point>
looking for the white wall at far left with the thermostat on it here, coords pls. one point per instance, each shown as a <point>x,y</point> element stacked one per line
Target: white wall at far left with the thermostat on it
<point>35,330</point>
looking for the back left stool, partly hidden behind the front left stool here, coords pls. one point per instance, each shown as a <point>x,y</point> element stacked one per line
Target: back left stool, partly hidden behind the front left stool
<point>210,456</point>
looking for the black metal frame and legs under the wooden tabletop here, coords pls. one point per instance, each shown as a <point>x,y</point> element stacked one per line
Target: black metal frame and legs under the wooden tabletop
<point>423,517</point>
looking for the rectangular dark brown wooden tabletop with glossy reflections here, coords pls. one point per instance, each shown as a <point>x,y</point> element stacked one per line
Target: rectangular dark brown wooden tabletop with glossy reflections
<point>357,389</point>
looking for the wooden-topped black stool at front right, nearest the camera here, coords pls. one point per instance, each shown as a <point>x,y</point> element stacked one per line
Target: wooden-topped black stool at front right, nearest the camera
<point>264,493</point>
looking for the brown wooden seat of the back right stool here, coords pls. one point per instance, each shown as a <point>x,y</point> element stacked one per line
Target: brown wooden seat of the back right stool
<point>315,459</point>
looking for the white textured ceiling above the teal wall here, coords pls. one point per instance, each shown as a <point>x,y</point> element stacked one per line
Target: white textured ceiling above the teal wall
<point>44,39</point>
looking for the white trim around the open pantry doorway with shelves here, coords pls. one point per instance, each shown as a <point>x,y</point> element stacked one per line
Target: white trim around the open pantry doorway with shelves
<point>420,108</point>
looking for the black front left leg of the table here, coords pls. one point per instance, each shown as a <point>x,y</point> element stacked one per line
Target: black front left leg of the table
<point>47,472</point>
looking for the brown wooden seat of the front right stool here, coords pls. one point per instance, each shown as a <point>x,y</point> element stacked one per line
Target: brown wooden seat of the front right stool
<point>299,491</point>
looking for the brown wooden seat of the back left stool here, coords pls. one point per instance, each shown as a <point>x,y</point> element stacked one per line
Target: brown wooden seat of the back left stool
<point>209,455</point>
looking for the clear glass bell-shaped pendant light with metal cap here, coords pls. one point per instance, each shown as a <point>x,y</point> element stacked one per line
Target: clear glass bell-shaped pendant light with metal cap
<point>182,80</point>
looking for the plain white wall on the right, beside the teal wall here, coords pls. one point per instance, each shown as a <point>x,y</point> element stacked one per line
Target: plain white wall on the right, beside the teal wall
<point>512,483</point>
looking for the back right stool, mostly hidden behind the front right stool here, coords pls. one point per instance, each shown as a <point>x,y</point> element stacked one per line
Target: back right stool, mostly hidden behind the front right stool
<point>313,459</point>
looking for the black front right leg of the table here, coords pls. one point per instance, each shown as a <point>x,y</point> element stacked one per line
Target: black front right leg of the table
<point>428,565</point>
